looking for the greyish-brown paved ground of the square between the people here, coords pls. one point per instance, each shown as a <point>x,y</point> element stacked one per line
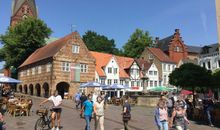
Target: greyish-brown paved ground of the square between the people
<point>142,119</point>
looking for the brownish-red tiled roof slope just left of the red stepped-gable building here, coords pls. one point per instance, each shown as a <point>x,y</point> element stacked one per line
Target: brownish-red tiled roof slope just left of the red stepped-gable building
<point>160,55</point>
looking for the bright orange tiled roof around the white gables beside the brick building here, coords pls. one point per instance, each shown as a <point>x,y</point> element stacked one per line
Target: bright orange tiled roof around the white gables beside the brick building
<point>102,59</point>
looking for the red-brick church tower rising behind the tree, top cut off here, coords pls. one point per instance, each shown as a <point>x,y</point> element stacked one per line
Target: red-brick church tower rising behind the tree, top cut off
<point>22,9</point>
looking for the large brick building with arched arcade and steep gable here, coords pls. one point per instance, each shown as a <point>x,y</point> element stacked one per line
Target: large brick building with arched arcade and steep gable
<point>61,65</point>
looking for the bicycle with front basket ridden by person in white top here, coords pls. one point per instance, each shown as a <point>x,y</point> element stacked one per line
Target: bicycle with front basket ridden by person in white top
<point>45,119</point>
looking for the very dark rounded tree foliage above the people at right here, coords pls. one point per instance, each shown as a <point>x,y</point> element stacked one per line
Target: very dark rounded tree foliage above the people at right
<point>190,75</point>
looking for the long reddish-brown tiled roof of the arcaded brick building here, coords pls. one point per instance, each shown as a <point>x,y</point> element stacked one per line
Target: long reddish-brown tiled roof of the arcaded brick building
<point>47,51</point>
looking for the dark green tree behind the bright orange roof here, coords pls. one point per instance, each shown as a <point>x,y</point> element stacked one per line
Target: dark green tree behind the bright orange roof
<point>100,43</point>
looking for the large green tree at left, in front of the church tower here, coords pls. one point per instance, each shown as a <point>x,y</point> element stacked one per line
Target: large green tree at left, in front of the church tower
<point>22,40</point>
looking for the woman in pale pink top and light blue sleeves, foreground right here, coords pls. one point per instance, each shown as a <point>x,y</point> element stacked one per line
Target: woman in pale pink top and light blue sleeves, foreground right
<point>161,115</point>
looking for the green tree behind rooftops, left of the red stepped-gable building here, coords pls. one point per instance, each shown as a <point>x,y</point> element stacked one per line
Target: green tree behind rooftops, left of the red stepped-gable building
<point>138,41</point>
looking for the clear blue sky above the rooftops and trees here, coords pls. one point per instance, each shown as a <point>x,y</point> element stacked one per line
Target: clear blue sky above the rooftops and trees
<point>118,19</point>
